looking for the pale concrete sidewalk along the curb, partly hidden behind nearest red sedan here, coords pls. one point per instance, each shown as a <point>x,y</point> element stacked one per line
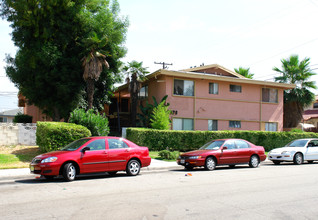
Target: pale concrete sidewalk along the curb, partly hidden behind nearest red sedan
<point>155,165</point>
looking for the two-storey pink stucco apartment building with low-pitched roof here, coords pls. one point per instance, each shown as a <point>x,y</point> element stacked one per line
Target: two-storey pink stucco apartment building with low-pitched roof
<point>211,98</point>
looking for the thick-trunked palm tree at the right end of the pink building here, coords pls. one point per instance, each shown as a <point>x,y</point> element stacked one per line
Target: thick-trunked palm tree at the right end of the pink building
<point>295,100</point>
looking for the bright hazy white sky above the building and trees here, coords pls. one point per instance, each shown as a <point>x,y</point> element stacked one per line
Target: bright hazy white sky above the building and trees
<point>232,33</point>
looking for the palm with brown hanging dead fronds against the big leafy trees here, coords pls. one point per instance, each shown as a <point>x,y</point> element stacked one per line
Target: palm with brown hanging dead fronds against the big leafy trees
<point>93,64</point>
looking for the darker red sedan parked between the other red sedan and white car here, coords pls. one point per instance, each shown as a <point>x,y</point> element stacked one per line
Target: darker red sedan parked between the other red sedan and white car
<point>223,152</point>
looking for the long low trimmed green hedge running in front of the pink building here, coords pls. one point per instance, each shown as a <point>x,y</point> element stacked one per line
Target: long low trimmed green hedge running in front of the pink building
<point>157,140</point>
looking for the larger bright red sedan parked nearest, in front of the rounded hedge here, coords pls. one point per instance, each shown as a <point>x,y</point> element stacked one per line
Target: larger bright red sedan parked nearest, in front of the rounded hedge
<point>92,155</point>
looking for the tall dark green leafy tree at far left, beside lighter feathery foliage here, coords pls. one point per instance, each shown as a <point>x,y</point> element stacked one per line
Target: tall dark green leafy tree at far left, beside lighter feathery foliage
<point>46,68</point>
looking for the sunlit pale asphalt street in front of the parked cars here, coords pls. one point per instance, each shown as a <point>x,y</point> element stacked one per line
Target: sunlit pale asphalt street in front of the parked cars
<point>286,191</point>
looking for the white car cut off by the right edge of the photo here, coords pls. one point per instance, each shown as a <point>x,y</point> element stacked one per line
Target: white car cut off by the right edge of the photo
<point>297,151</point>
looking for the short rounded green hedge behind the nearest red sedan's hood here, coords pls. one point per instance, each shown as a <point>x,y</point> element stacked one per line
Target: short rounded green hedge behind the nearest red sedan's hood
<point>51,136</point>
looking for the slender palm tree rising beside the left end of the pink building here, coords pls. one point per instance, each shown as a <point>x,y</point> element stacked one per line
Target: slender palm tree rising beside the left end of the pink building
<point>135,74</point>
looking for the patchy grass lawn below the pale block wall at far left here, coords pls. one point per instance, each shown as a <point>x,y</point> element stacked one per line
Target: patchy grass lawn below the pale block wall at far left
<point>17,156</point>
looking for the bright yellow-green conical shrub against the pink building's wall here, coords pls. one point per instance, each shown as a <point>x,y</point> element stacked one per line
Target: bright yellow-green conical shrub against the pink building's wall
<point>160,117</point>
